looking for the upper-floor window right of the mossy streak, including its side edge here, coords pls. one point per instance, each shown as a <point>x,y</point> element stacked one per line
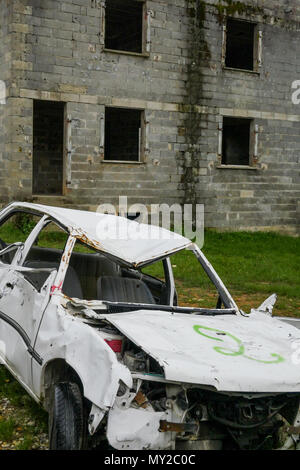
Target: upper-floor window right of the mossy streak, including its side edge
<point>242,45</point>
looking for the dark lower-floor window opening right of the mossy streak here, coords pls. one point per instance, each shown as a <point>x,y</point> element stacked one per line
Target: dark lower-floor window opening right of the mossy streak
<point>236,141</point>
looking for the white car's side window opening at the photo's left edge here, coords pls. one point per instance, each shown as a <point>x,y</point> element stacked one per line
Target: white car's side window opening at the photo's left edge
<point>15,228</point>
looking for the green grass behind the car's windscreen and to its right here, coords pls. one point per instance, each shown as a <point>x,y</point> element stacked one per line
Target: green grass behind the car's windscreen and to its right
<point>249,264</point>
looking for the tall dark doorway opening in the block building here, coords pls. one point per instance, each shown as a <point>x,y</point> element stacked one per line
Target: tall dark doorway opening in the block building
<point>48,139</point>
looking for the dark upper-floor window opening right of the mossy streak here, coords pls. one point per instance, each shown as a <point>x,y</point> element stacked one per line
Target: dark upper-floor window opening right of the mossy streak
<point>240,45</point>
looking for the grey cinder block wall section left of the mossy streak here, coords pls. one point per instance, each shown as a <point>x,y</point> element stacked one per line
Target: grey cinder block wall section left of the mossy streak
<point>60,58</point>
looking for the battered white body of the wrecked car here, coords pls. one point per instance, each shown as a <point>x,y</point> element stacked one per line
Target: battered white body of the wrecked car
<point>220,355</point>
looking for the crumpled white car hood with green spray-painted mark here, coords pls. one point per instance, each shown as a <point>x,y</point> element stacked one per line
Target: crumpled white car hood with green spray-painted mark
<point>232,353</point>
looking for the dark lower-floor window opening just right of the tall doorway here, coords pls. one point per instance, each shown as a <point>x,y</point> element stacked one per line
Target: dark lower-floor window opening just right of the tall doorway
<point>123,133</point>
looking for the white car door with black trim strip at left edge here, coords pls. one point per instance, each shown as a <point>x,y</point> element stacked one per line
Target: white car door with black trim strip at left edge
<point>21,306</point>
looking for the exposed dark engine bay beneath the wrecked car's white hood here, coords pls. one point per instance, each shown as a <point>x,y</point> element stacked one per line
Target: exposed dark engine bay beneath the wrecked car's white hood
<point>195,417</point>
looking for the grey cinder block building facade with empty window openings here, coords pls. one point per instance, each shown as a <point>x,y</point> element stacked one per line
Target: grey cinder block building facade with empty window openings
<point>163,101</point>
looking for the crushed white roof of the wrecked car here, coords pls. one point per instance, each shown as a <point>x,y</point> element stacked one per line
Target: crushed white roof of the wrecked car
<point>127,240</point>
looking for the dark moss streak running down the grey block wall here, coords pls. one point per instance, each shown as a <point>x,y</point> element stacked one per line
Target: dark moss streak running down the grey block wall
<point>199,56</point>
